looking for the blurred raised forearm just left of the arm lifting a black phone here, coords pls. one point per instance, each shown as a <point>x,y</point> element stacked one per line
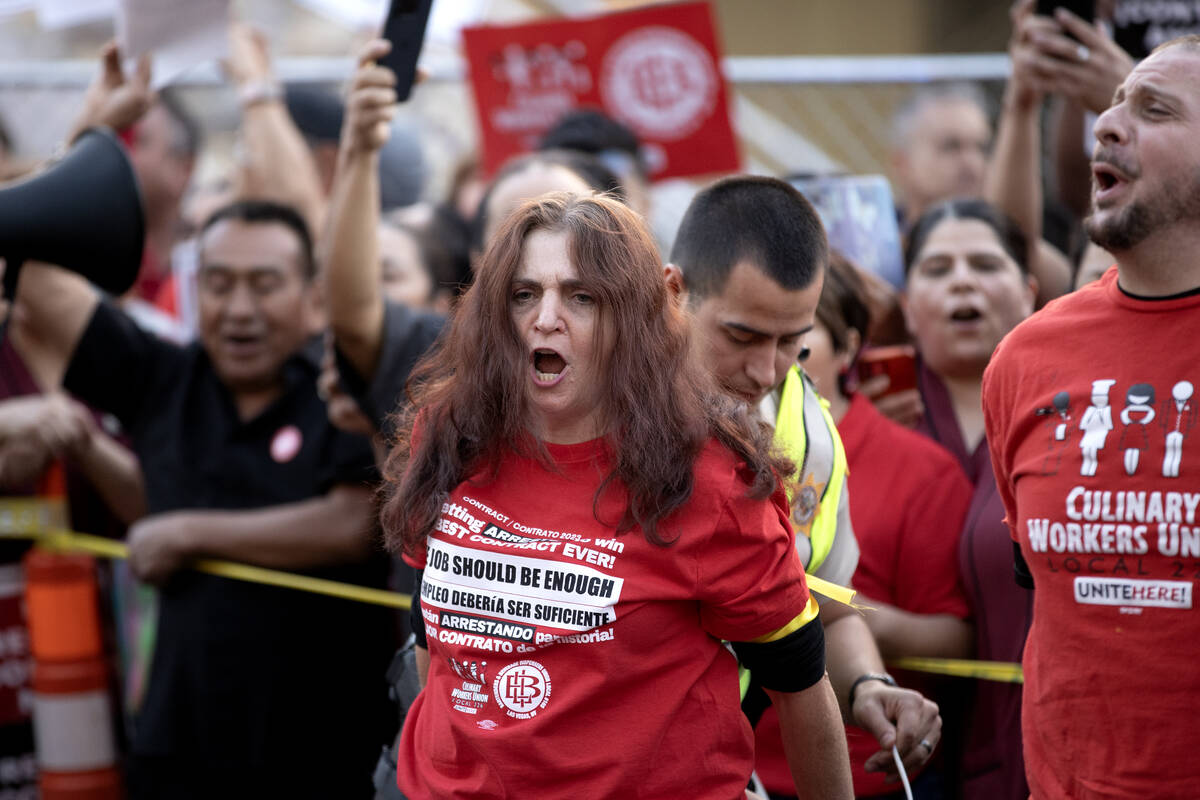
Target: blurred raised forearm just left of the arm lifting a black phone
<point>277,164</point>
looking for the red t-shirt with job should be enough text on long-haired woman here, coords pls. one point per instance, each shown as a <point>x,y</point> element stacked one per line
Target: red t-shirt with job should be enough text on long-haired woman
<point>572,663</point>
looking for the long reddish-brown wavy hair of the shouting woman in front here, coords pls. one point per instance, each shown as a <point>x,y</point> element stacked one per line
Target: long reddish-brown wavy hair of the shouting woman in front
<point>469,396</point>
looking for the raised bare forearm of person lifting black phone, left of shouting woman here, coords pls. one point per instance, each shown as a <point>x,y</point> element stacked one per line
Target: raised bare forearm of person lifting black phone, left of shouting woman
<point>351,261</point>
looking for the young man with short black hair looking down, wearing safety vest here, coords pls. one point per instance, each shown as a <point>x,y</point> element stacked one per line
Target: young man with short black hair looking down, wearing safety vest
<point>749,261</point>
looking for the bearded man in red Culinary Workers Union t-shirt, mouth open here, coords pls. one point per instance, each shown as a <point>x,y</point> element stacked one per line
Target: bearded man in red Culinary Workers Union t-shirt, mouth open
<point>1113,544</point>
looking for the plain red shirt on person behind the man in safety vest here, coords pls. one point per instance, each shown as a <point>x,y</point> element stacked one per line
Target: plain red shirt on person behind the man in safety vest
<point>908,501</point>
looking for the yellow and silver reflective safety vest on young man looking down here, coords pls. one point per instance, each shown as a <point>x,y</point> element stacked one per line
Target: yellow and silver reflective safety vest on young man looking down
<point>807,434</point>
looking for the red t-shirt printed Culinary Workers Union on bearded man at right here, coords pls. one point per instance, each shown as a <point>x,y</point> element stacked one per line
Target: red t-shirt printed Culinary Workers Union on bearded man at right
<point>1093,420</point>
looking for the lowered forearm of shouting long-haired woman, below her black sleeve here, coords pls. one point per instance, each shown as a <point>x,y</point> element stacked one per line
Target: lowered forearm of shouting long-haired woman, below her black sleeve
<point>815,742</point>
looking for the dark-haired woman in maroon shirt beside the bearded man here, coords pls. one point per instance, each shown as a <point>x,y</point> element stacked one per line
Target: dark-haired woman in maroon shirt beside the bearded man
<point>968,286</point>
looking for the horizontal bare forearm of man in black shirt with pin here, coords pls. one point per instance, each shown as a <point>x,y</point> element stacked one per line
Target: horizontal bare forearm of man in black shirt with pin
<point>332,530</point>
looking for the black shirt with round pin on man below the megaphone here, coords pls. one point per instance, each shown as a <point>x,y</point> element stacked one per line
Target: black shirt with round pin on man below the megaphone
<point>244,673</point>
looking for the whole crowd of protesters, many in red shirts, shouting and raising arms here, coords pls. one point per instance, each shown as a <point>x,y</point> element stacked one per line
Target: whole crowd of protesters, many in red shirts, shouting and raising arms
<point>604,466</point>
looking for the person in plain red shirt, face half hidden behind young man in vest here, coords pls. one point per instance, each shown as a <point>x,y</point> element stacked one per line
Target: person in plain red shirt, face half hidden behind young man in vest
<point>908,501</point>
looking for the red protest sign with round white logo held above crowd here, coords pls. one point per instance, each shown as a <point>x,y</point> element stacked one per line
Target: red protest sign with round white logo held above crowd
<point>657,70</point>
